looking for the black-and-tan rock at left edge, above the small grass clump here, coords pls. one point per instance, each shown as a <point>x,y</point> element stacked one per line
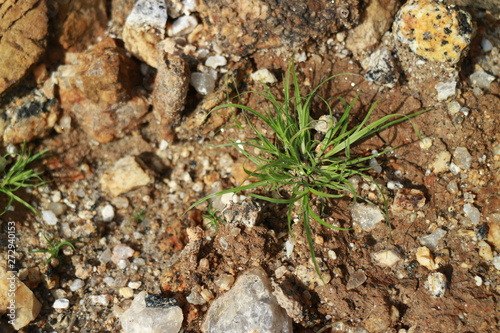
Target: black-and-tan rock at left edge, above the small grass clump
<point>32,116</point>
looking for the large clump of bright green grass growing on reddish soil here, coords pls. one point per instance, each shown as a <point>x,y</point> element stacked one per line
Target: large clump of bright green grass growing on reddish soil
<point>298,163</point>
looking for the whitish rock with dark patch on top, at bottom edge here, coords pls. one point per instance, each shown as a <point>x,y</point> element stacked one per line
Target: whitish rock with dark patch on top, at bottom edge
<point>151,314</point>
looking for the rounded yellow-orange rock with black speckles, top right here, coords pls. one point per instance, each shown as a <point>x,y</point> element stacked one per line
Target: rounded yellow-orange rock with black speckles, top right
<point>434,30</point>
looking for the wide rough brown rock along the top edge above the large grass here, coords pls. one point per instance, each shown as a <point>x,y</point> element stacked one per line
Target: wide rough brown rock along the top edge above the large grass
<point>242,27</point>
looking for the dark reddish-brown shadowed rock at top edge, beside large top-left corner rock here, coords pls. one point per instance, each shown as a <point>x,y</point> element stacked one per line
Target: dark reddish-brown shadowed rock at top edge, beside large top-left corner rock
<point>79,23</point>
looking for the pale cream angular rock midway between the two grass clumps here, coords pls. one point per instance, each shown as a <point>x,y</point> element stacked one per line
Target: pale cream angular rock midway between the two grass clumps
<point>124,176</point>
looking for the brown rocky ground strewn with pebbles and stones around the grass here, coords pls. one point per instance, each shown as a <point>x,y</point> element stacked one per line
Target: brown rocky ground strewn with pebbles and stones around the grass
<point>121,94</point>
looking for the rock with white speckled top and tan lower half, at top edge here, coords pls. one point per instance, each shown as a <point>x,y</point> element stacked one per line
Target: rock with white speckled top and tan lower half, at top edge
<point>145,28</point>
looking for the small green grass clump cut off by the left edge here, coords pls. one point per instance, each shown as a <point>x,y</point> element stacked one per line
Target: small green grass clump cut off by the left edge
<point>18,175</point>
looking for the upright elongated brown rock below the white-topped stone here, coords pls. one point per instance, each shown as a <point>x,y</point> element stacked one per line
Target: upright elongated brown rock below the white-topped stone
<point>170,91</point>
